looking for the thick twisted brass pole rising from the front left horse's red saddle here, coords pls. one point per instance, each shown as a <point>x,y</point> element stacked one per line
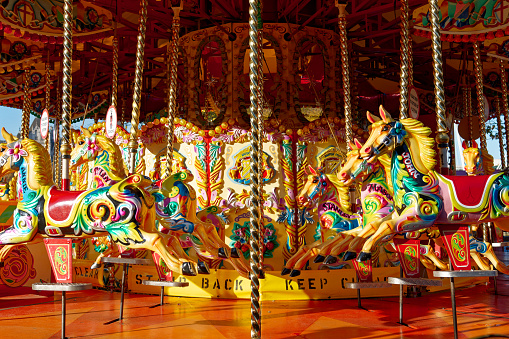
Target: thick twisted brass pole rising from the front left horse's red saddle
<point>65,147</point>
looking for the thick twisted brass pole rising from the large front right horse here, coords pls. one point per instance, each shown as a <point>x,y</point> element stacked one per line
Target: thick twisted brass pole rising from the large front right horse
<point>442,137</point>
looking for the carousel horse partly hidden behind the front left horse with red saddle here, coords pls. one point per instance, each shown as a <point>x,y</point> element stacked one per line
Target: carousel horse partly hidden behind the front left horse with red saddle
<point>175,199</point>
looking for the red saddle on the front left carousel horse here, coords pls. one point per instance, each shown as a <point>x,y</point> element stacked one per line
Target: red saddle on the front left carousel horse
<point>60,204</point>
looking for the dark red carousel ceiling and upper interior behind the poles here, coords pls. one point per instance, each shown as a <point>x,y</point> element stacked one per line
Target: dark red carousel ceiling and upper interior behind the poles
<point>32,35</point>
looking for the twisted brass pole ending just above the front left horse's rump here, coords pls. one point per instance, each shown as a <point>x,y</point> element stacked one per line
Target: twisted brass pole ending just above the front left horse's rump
<point>138,77</point>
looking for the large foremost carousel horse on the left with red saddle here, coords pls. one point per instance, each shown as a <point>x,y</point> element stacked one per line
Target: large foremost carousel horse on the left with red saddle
<point>123,210</point>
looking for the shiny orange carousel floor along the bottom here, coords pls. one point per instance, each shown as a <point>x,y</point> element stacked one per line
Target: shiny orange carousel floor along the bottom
<point>37,316</point>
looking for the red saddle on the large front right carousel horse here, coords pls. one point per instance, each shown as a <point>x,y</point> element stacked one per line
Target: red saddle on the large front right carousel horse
<point>470,190</point>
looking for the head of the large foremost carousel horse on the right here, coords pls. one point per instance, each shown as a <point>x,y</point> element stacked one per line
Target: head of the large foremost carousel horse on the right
<point>385,135</point>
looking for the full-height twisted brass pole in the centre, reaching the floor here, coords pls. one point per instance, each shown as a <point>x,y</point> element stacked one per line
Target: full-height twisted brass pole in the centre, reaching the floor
<point>255,79</point>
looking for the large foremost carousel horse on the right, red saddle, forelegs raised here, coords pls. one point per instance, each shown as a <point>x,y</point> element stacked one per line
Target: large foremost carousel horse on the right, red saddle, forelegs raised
<point>423,197</point>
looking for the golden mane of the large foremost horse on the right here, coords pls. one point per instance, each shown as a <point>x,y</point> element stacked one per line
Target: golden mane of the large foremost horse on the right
<point>421,135</point>
